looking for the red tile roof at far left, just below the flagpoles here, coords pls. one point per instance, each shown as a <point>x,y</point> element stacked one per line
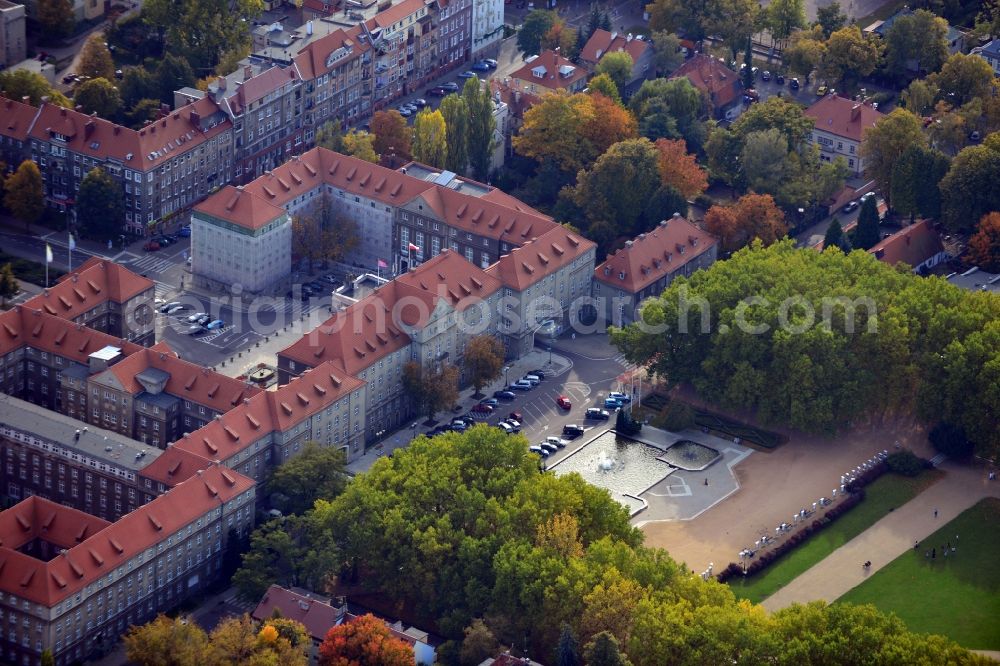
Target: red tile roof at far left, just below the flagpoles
<point>95,282</point>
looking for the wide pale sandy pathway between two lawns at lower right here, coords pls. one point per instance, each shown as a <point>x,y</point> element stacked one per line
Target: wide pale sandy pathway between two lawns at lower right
<point>841,571</point>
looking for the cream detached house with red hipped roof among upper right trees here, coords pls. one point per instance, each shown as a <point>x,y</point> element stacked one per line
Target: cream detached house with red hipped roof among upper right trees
<point>840,128</point>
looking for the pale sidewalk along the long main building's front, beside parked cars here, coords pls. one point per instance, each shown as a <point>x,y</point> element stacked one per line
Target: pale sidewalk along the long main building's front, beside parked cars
<point>556,367</point>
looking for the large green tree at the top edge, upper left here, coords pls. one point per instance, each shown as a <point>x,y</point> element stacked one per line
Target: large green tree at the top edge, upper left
<point>203,30</point>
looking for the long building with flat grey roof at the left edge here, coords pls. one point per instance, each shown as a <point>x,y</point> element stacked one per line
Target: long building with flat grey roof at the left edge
<point>49,455</point>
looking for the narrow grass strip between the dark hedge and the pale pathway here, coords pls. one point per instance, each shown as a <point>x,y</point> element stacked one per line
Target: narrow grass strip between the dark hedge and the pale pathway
<point>884,494</point>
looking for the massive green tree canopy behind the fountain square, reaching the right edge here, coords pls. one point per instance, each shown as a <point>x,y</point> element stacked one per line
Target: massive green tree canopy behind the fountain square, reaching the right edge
<point>937,344</point>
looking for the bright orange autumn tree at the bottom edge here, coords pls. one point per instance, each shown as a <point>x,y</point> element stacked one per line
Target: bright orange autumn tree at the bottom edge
<point>366,640</point>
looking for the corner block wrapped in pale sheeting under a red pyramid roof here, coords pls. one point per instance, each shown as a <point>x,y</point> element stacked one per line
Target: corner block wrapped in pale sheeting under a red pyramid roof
<point>240,241</point>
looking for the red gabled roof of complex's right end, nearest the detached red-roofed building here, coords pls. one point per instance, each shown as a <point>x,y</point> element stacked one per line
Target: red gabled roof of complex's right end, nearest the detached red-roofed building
<point>540,257</point>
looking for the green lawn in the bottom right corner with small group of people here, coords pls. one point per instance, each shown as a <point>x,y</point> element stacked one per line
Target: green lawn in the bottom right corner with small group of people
<point>957,596</point>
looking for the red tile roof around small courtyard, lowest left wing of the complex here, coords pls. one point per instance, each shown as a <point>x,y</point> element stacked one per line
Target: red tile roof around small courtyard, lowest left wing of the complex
<point>100,552</point>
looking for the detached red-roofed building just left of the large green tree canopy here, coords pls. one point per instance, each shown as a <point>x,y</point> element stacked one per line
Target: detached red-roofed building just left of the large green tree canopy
<point>648,264</point>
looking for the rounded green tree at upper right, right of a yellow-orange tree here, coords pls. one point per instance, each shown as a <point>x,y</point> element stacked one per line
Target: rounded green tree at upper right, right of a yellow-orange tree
<point>917,41</point>
